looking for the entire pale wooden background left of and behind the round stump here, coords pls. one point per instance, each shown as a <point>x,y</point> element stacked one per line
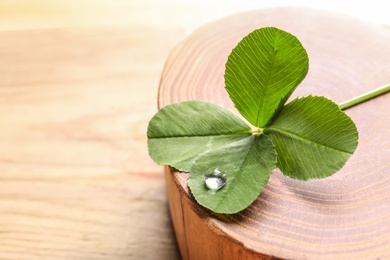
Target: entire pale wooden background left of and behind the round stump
<point>78,84</point>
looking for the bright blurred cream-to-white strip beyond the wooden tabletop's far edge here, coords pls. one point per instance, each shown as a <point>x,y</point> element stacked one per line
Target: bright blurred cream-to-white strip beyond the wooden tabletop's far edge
<point>186,14</point>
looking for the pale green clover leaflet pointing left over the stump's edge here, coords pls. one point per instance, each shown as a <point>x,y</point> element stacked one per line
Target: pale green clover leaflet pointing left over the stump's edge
<point>181,133</point>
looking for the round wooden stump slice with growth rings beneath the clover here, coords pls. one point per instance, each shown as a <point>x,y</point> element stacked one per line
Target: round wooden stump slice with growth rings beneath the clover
<point>345,216</point>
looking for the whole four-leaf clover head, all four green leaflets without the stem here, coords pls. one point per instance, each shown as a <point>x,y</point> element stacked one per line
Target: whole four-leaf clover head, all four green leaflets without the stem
<point>309,138</point>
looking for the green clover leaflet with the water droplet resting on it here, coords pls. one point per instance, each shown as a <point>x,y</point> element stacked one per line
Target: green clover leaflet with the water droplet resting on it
<point>247,165</point>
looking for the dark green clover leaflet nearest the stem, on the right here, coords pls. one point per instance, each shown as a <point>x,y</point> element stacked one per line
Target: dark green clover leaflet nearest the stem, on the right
<point>313,138</point>
